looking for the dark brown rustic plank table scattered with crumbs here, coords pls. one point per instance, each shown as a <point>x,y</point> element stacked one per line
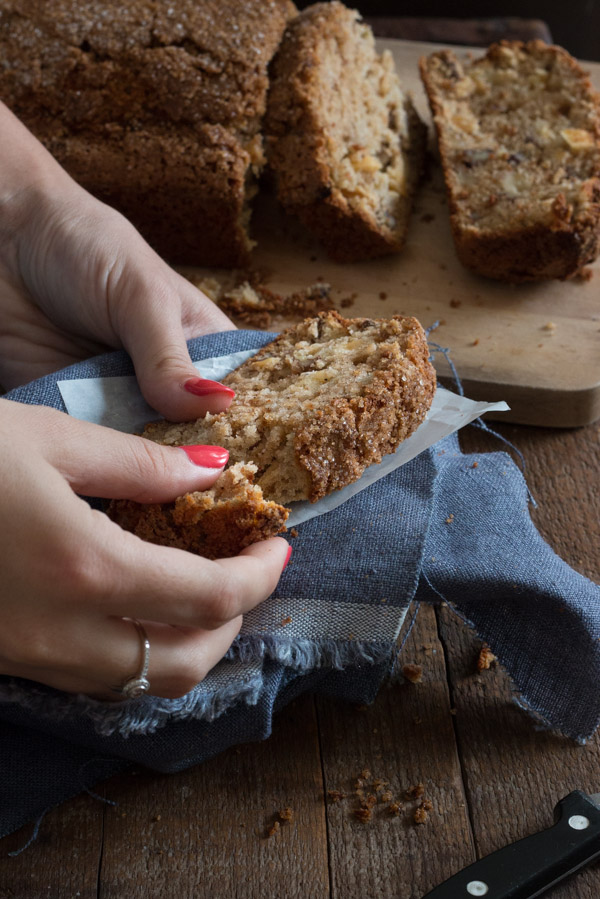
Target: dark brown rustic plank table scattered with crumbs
<point>491,776</point>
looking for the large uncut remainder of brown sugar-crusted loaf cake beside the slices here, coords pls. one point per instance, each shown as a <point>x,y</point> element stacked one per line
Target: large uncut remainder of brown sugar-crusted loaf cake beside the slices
<point>154,106</point>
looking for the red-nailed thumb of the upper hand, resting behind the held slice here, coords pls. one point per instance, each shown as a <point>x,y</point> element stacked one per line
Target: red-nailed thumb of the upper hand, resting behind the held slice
<point>167,377</point>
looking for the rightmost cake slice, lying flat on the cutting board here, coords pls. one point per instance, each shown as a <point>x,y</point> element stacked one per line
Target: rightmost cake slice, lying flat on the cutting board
<point>519,141</point>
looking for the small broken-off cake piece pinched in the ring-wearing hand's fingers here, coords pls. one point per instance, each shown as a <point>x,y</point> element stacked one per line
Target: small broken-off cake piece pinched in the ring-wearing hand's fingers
<point>215,523</point>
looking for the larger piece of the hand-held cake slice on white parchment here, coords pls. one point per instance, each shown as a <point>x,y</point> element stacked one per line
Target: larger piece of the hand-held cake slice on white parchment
<point>320,403</point>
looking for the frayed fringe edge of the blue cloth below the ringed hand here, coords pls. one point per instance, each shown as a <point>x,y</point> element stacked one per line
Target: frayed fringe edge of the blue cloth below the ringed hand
<point>148,714</point>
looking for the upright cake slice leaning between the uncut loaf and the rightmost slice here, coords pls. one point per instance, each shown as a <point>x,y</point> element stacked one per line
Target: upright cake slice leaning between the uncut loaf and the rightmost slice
<point>343,139</point>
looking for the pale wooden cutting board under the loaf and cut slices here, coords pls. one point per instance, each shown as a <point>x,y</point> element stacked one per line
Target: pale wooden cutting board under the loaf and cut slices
<point>535,346</point>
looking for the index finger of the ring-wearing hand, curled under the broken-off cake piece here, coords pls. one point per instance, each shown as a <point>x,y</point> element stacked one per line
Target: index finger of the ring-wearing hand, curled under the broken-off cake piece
<point>171,586</point>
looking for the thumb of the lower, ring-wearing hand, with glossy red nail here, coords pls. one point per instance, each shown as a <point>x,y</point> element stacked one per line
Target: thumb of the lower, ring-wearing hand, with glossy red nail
<point>98,461</point>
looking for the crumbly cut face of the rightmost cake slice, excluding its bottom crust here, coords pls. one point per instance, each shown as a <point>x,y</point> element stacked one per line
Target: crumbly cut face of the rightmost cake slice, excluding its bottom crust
<point>521,134</point>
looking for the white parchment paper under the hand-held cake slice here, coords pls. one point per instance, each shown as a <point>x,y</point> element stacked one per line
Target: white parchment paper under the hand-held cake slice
<point>117,403</point>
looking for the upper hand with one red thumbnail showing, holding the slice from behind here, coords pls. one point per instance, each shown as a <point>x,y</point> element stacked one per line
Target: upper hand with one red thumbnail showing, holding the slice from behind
<point>76,278</point>
